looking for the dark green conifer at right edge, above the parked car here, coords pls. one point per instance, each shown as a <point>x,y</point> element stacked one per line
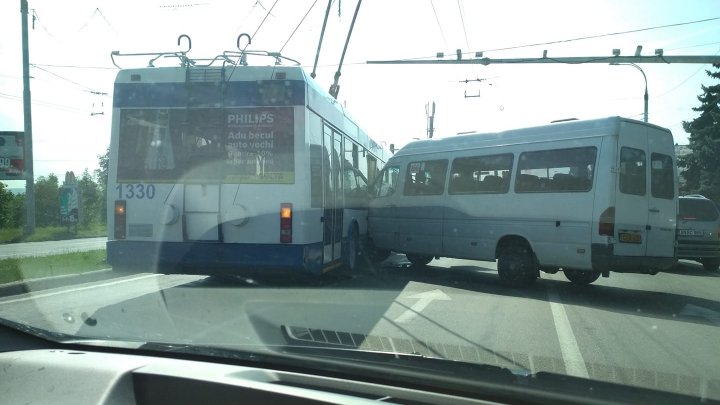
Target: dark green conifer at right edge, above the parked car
<point>702,174</point>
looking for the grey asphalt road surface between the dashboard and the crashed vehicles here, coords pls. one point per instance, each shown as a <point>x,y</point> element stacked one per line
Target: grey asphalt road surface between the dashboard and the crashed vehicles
<point>660,331</point>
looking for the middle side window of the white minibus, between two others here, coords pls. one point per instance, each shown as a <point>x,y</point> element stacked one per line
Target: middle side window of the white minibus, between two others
<point>481,174</point>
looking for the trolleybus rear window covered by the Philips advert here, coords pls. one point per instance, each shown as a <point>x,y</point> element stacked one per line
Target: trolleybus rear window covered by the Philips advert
<point>231,145</point>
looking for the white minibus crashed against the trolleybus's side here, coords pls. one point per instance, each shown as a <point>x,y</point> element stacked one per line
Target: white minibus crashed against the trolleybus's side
<point>585,197</point>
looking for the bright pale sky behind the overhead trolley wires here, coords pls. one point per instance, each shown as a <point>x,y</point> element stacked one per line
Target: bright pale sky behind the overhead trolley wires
<point>72,74</point>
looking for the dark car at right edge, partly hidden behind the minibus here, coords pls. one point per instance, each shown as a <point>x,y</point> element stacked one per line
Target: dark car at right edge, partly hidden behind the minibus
<point>699,231</point>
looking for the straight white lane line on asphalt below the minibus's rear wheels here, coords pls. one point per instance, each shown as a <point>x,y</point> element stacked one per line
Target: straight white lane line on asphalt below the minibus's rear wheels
<point>574,363</point>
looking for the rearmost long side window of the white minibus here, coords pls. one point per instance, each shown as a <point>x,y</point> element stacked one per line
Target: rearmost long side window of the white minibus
<point>556,171</point>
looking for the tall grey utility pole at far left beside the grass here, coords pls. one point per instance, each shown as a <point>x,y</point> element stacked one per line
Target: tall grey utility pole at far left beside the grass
<point>28,158</point>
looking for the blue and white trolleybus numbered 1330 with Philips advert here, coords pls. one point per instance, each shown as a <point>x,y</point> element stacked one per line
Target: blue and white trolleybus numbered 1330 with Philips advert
<point>218,168</point>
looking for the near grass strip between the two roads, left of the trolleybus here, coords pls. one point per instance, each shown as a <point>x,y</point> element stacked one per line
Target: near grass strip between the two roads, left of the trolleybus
<point>27,268</point>
